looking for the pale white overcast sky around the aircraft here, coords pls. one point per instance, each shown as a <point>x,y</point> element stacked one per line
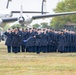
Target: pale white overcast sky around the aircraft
<point>29,5</point>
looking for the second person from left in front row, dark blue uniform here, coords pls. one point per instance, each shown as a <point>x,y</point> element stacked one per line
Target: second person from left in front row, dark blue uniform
<point>16,41</point>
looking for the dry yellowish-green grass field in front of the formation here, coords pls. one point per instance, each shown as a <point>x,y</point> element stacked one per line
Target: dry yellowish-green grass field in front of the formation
<point>36,64</point>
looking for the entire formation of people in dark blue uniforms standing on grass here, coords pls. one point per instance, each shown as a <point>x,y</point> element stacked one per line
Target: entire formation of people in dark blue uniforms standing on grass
<point>40,40</point>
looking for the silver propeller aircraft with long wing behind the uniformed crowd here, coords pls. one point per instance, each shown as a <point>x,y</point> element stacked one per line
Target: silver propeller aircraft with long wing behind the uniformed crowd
<point>6,16</point>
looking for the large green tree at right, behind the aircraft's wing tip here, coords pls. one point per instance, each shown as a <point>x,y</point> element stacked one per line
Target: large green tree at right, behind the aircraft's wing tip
<point>64,6</point>
